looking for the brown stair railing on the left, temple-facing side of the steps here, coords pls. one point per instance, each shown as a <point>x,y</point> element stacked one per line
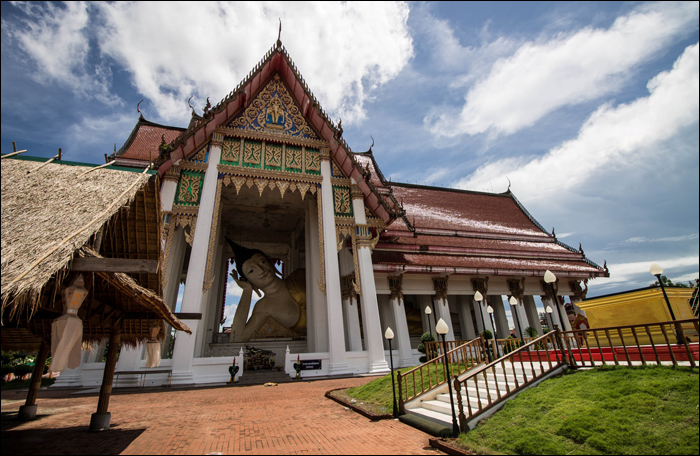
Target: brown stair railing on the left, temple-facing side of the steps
<point>431,374</point>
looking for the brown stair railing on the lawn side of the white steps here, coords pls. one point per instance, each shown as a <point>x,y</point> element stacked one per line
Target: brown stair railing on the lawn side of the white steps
<point>544,352</point>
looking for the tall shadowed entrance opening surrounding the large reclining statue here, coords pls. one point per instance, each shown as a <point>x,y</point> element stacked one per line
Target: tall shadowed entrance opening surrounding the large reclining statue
<point>262,219</point>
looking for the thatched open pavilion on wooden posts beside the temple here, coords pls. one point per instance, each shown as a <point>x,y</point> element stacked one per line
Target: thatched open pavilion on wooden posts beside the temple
<point>64,219</point>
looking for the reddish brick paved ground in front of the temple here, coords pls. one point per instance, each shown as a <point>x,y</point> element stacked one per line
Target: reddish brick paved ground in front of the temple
<point>291,418</point>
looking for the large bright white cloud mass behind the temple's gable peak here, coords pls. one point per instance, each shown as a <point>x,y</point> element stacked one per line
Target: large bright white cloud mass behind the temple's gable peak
<point>176,49</point>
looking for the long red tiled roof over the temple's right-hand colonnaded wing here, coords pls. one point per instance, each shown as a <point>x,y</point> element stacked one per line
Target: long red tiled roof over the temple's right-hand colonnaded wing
<point>465,232</point>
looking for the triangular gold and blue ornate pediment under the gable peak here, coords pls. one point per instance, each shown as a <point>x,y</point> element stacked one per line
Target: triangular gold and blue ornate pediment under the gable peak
<point>273,109</point>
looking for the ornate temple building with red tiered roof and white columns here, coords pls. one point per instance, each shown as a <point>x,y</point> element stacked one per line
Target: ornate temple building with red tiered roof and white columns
<point>264,180</point>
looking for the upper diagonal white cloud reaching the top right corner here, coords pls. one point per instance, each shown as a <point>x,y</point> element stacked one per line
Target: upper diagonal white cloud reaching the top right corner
<point>569,69</point>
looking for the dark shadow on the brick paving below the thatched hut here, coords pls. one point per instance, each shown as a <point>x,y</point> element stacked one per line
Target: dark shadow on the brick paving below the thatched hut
<point>71,440</point>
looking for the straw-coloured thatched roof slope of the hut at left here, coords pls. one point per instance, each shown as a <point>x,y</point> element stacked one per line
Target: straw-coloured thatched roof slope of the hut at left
<point>41,209</point>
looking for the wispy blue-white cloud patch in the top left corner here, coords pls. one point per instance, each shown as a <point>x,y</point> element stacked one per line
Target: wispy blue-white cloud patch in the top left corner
<point>56,38</point>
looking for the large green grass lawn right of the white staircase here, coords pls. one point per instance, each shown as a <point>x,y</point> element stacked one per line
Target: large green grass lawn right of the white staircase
<point>652,410</point>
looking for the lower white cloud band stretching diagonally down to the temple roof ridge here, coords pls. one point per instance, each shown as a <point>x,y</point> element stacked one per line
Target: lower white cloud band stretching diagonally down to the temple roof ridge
<point>610,137</point>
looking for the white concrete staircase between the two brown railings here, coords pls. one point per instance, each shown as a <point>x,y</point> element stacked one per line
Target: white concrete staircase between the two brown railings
<point>490,385</point>
